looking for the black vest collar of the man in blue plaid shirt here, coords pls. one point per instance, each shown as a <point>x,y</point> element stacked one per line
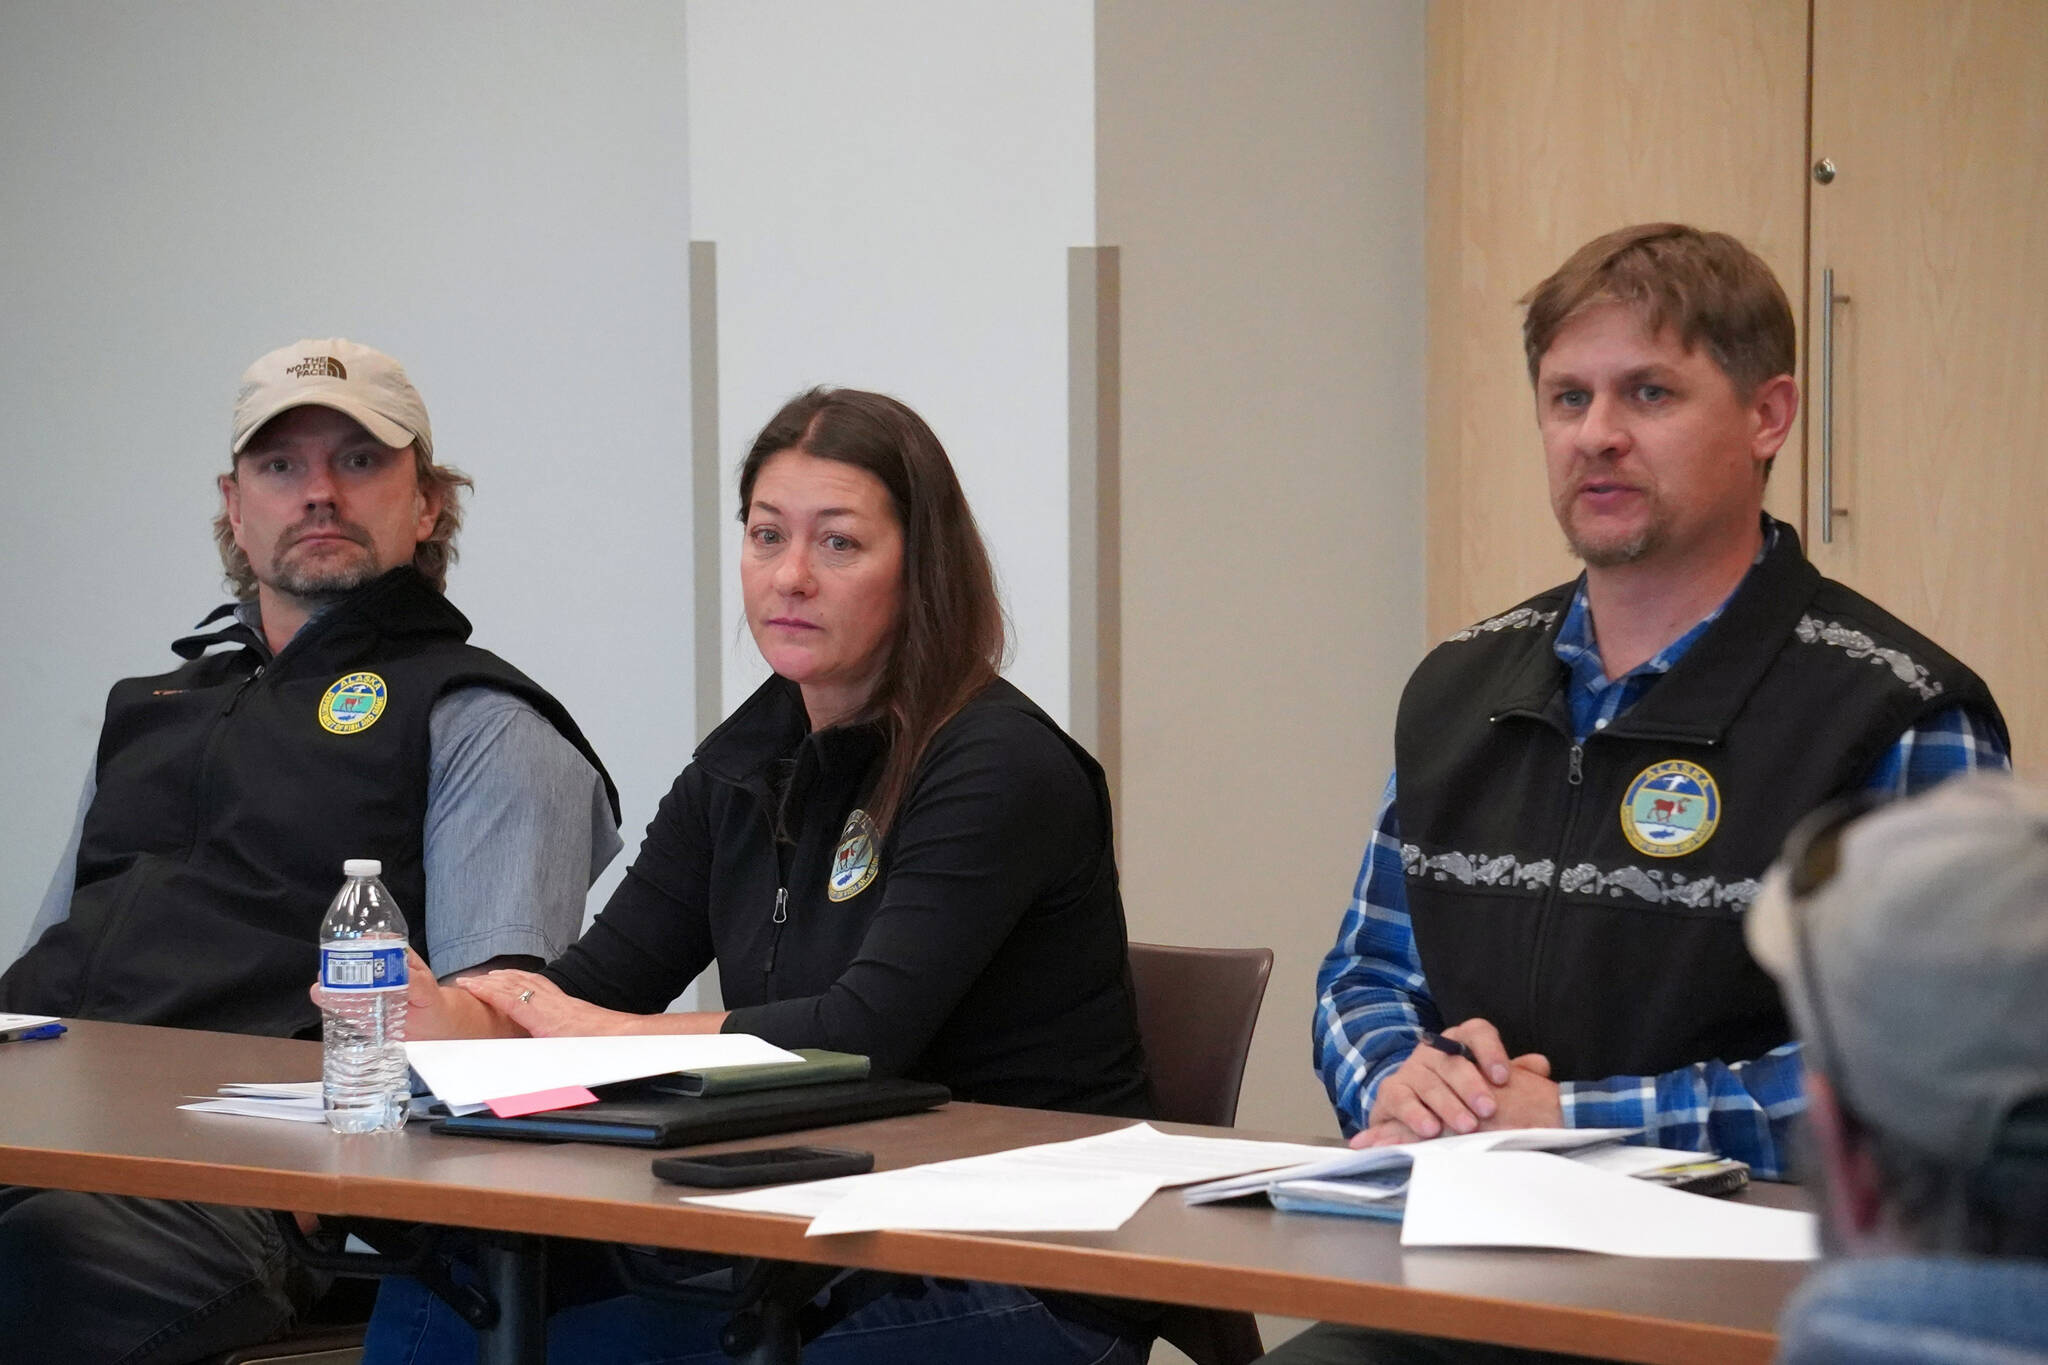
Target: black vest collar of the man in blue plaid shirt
<point>1701,697</point>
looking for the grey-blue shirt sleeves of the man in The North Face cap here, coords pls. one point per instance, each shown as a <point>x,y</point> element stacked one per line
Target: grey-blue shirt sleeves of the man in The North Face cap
<point>517,830</point>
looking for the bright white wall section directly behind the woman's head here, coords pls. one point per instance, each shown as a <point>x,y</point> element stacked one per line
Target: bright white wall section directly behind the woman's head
<point>892,189</point>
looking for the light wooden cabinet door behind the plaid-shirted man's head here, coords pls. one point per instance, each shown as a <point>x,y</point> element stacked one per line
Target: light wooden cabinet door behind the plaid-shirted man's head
<point>1549,124</point>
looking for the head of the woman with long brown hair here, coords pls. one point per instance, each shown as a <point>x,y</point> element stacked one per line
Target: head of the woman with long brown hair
<point>863,574</point>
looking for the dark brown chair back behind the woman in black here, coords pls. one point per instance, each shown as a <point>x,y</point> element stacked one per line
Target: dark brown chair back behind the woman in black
<point>1197,1010</point>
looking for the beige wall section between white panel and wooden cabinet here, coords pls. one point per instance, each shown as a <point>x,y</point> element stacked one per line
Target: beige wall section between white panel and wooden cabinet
<point>1263,175</point>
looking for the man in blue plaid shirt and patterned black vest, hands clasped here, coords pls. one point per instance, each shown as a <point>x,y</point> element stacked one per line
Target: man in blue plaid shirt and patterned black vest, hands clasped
<point>1547,924</point>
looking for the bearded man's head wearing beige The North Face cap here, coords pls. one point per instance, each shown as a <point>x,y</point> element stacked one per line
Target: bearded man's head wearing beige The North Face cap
<point>333,480</point>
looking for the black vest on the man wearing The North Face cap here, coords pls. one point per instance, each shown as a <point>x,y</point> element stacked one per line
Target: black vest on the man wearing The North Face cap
<point>226,809</point>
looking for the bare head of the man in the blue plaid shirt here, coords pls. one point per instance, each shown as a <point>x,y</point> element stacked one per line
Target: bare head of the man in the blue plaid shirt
<point>1662,359</point>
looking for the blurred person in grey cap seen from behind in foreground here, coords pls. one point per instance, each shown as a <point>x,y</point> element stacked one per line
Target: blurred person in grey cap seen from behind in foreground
<point>1912,946</point>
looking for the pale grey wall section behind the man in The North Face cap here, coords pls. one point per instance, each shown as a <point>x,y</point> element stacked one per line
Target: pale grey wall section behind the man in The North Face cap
<point>493,191</point>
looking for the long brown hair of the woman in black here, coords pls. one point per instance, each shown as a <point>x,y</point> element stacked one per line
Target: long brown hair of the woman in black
<point>949,637</point>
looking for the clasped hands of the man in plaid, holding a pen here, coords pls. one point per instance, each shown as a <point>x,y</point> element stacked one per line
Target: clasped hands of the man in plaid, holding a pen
<point>1437,1094</point>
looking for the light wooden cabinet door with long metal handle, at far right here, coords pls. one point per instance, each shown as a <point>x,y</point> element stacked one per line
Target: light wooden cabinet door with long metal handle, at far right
<point>1936,228</point>
